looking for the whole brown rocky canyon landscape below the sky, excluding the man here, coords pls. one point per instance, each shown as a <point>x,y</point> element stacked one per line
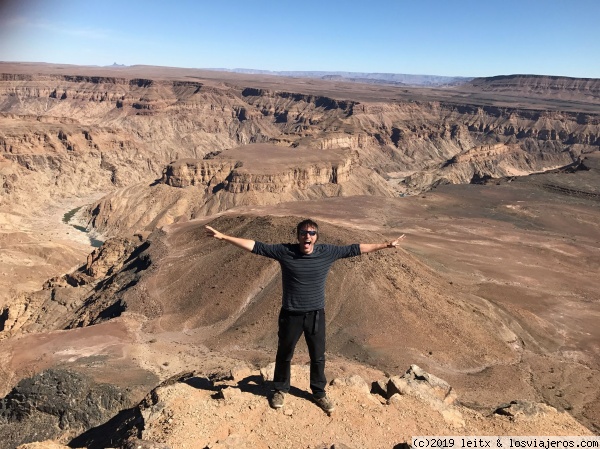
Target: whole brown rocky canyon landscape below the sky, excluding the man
<point>494,181</point>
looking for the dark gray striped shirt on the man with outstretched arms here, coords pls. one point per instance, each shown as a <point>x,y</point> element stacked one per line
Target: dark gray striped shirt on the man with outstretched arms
<point>304,275</point>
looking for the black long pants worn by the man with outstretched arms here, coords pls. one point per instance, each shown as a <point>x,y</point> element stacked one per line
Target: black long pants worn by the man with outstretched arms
<point>291,326</point>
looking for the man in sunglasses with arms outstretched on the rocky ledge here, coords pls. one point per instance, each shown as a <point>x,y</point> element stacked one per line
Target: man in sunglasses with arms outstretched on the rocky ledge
<point>304,269</point>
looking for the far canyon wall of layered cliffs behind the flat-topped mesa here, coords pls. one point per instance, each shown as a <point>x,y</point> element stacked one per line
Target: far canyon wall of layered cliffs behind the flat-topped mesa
<point>70,135</point>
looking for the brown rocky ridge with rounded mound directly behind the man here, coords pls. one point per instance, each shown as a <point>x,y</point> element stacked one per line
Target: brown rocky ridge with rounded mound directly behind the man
<point>129,273</point>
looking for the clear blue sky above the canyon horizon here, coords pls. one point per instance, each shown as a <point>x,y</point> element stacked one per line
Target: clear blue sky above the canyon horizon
<point>427,37</point>
